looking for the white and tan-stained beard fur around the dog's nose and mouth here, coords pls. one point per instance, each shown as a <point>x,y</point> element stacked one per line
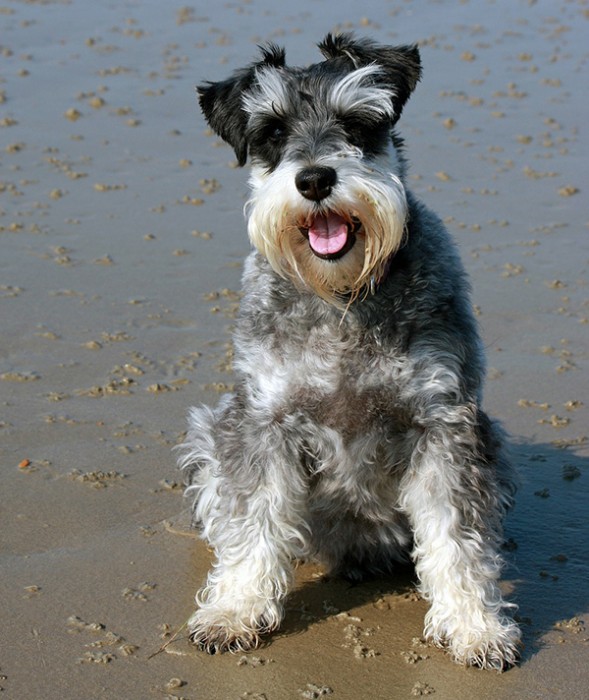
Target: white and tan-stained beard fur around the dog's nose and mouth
<point>372,191</point>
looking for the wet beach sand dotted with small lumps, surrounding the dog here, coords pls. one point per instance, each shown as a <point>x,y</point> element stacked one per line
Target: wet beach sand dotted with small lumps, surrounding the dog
<point>121,243</point>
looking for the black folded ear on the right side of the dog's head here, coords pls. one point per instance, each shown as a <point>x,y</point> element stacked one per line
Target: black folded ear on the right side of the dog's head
<point>401,65</point>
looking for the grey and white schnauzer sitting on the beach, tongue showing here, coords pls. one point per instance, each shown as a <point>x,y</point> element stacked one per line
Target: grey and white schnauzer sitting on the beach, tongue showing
<point>354,435</point>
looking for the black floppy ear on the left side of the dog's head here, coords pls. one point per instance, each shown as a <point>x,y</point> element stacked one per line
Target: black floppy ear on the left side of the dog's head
<point>222,102</point>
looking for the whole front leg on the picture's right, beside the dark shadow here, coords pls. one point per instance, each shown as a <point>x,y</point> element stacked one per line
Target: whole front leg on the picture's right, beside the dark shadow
<point>454,502</point>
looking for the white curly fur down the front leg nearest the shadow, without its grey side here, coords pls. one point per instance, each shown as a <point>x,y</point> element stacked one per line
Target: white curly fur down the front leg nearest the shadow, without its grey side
<point>457,568</point>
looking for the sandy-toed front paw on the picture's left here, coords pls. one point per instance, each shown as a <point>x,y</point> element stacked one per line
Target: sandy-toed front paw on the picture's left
<point>216,632</point>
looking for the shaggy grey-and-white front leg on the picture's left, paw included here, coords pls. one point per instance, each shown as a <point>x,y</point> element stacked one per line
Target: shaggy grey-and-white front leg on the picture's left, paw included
<point>251,506</point>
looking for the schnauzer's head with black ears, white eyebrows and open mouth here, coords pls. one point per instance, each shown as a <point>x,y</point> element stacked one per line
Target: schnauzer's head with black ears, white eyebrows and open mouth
<point>328,207</point>
